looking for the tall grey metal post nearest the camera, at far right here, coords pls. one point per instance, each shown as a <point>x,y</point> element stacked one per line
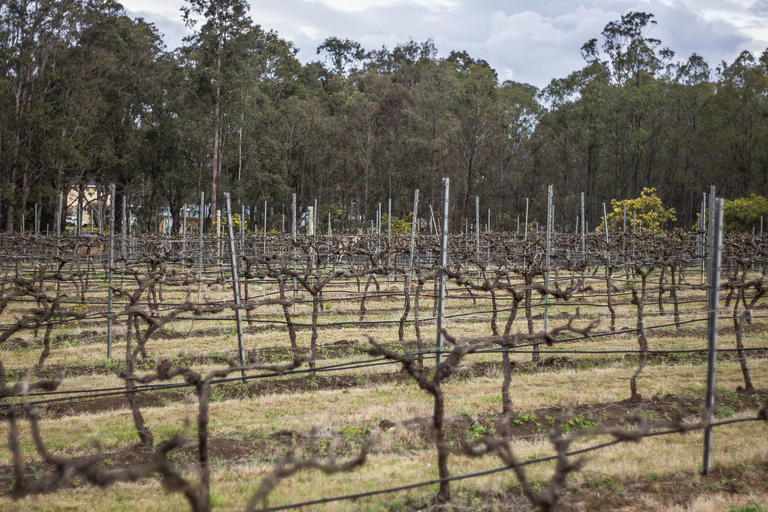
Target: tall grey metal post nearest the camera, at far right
<point>713,301</point>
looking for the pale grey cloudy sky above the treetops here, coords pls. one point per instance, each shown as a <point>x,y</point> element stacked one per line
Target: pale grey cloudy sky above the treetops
<point>529,41</point>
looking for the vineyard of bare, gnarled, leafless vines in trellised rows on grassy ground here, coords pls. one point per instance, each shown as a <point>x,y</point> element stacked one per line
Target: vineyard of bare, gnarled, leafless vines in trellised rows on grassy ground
<point>271,372</point>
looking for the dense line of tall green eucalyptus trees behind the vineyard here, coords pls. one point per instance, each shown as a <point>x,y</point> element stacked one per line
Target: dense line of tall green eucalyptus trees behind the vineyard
<point>89,97</point>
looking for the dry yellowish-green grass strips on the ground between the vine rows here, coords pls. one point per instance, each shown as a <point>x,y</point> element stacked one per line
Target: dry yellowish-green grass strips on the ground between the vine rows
<point>400,455</point>
